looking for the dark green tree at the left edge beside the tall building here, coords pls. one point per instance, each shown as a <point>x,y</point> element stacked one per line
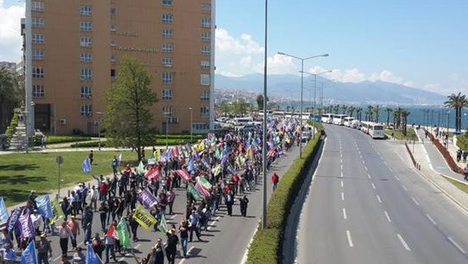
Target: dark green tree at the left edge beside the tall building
<point>10,96</point>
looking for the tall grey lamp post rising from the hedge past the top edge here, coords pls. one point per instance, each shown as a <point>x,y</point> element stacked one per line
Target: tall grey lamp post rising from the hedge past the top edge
<point>264,132</point>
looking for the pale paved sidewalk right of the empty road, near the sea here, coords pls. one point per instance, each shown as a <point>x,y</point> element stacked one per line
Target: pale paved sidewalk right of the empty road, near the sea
<point>434,169</point>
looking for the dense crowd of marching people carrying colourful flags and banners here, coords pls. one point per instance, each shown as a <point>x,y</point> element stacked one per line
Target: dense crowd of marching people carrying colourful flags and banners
<point>217,171</point>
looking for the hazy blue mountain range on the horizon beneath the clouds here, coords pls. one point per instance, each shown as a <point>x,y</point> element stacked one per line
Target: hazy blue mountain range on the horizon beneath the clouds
<point>287,87</point>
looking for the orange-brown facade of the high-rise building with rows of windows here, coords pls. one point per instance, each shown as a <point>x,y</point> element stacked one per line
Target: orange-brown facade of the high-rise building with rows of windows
<point>174,39</point>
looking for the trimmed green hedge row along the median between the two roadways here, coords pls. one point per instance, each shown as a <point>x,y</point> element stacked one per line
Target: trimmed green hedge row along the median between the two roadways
<point>267,244</point>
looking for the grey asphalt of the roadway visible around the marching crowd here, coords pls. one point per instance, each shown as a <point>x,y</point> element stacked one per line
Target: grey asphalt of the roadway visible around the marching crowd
<point>226,239</point>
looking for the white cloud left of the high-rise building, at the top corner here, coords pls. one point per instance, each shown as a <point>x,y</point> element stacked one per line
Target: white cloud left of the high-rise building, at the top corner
<point>10,31</point>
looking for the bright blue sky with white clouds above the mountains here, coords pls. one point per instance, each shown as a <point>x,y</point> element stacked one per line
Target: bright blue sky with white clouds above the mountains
<point>418,43</point>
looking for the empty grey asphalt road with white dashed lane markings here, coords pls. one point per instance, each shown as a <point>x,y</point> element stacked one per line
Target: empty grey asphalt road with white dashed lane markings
<point>367,204</point>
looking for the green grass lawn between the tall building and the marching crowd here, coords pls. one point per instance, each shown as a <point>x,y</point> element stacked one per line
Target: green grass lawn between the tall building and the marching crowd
<point>20,173</point>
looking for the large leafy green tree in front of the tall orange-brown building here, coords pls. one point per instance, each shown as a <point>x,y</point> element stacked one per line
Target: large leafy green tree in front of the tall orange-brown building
<point>128,119</point>
